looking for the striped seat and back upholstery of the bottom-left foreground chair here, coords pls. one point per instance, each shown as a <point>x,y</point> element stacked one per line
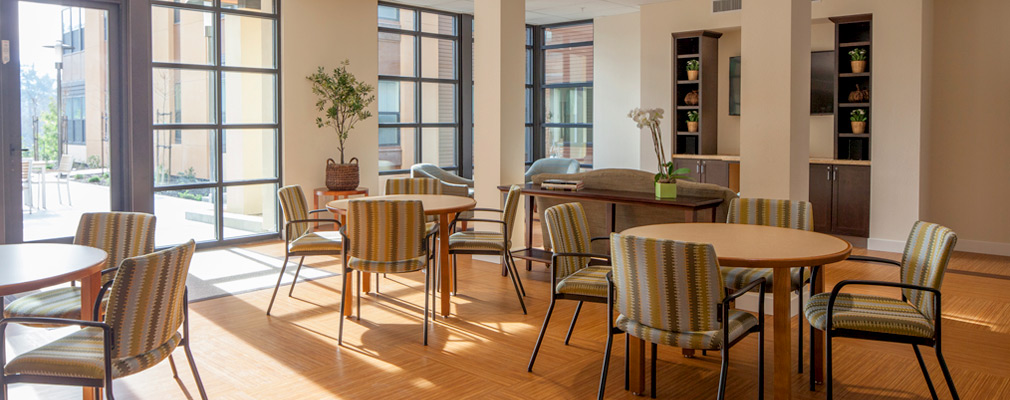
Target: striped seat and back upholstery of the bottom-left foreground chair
<point>146,312</point>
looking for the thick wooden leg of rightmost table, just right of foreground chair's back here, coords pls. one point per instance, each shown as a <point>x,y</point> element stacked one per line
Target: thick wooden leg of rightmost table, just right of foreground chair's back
<point>782,359</point>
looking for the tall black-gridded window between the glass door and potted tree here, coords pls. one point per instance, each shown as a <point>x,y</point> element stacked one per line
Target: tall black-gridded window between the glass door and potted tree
<point>217,121</point>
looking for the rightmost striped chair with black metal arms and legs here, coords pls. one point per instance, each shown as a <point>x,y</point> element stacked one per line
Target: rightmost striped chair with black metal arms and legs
<point>915,320</point>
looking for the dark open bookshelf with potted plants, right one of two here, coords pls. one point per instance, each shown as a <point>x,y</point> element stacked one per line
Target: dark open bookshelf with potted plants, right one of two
<point>853,33</point>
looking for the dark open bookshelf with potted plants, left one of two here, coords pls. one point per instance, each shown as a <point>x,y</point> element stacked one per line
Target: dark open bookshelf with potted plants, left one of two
<point>702,46</point>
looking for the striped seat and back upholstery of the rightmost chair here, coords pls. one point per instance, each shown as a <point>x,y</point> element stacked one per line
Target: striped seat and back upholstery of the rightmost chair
<point>928,252</point>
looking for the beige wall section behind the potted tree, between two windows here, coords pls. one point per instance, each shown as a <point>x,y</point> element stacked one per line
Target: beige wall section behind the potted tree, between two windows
<point>325,33</point>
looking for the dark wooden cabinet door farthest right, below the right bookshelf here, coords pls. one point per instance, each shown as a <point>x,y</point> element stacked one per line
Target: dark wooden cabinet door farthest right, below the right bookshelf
<point>851,212</point>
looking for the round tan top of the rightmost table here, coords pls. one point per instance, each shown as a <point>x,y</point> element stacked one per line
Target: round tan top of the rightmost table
<point>754,246</point>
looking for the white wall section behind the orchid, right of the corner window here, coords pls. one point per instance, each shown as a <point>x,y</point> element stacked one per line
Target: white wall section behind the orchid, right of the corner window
<point>617,57</point>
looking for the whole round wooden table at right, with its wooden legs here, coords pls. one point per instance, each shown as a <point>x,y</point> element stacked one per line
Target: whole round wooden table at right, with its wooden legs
<point>756,247</point>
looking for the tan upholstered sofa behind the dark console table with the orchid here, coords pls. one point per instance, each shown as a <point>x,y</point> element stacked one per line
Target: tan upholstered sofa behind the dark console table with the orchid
<point>627,216</point>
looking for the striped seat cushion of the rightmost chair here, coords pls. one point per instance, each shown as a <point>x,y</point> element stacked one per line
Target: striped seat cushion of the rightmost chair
<point>869,314</point>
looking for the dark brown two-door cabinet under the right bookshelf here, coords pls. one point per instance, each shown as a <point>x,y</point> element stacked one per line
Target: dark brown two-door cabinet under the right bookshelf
<point>841,199</point>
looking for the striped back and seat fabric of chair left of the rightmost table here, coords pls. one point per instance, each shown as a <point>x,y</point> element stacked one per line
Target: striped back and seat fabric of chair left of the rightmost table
<point>568,230</point>
